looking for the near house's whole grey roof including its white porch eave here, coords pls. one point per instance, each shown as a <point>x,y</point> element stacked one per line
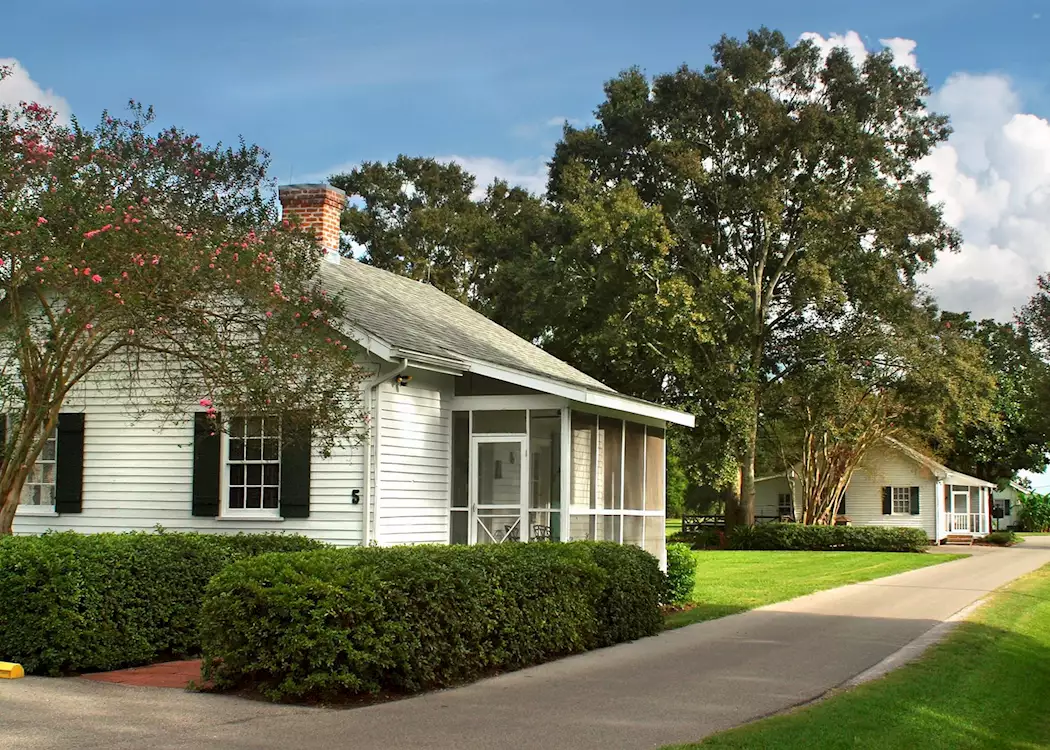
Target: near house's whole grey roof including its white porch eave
<point>400,318</point>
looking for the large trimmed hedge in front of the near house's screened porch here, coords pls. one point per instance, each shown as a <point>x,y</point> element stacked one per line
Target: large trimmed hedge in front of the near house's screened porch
<point>340,623</point>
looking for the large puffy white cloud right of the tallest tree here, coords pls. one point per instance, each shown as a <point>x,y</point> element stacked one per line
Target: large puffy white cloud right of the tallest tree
<point>994,179</point>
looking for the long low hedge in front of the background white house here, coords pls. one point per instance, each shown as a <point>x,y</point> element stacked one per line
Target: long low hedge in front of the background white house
<point>797,536</point>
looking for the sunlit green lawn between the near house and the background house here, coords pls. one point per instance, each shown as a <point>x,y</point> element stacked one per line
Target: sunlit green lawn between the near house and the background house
<point>729,582</point>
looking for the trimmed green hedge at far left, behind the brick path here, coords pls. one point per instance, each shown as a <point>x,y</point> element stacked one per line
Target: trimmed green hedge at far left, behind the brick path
<point>76,602</point>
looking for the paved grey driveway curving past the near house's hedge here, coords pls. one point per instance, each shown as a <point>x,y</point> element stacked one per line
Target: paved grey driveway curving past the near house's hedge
<point>676,687</point>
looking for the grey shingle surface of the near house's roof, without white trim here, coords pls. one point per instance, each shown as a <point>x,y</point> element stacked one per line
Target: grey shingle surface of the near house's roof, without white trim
<point>413,317</point>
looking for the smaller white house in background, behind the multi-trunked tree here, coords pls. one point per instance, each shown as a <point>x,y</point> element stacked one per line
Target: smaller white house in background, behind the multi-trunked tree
<point>896,486</point>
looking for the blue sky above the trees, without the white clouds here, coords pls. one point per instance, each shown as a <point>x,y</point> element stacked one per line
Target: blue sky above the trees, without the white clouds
<point>322,84</point>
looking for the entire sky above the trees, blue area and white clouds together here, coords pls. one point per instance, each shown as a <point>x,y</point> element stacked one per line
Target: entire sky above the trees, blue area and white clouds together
<point>324,85</point>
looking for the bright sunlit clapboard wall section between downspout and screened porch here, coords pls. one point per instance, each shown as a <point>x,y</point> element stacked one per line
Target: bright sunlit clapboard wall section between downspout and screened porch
<point>414,461</point>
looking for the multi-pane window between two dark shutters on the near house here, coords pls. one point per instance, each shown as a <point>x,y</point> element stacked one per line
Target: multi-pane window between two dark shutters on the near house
<point>254,466</point>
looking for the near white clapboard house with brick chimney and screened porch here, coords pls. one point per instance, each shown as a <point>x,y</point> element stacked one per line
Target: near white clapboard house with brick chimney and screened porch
<point>476,436</point>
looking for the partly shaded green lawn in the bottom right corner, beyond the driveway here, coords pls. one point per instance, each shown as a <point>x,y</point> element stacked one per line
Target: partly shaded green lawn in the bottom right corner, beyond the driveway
<point>986,686</point>
